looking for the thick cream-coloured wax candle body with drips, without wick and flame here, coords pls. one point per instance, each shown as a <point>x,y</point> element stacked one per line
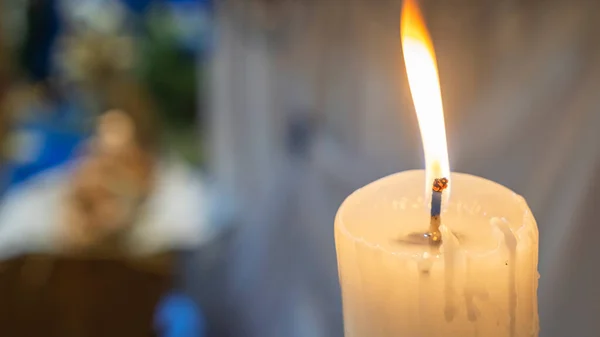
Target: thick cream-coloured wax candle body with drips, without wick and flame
<point>482,280</point>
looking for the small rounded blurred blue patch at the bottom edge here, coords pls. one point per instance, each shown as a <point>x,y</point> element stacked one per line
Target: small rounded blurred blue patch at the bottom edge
<point>178,316</point>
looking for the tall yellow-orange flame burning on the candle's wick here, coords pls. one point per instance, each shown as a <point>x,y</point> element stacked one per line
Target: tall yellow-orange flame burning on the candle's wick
<point>423,80</point>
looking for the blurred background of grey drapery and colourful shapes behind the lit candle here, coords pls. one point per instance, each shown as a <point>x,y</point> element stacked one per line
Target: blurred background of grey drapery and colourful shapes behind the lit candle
<point>254,119</point>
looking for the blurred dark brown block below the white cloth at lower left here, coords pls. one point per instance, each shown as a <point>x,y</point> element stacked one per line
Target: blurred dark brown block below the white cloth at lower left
<point>68,297</point>
